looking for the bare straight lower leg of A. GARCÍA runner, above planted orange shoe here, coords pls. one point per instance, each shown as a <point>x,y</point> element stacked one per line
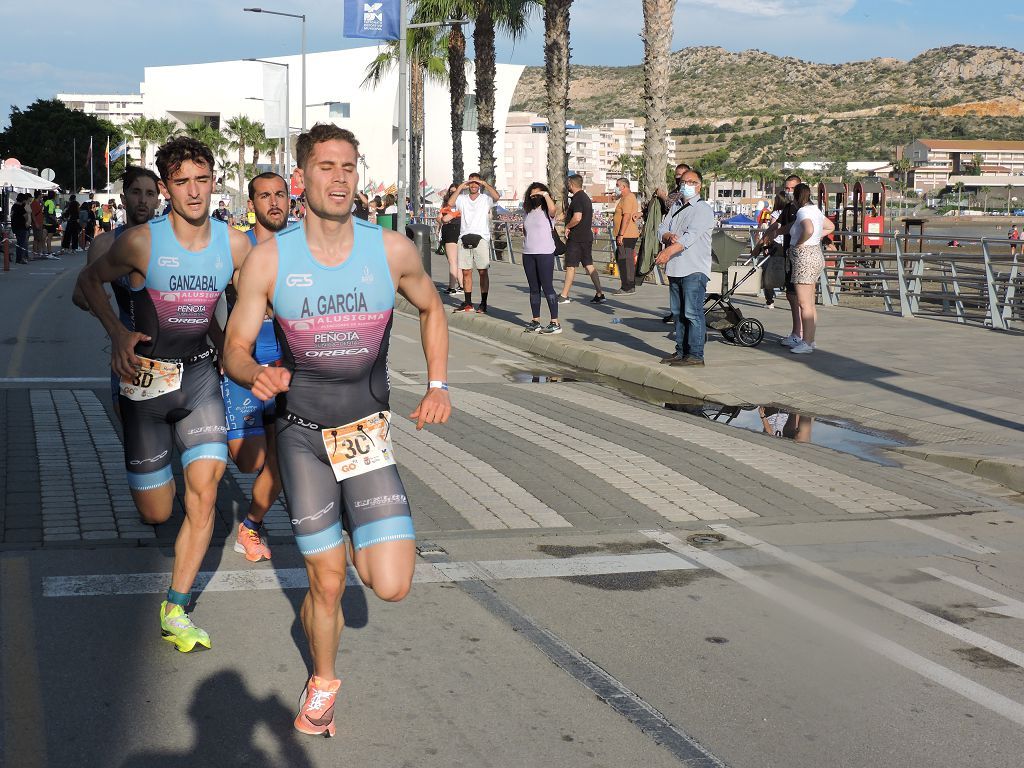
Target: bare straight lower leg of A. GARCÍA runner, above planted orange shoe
<point>321,614</point>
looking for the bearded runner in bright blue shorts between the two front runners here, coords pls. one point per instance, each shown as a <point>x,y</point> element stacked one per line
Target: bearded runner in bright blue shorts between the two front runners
<point>250,420</point>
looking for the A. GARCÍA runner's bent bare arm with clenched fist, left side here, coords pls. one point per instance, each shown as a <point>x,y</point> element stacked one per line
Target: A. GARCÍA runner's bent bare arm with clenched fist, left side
<point>254,286</point>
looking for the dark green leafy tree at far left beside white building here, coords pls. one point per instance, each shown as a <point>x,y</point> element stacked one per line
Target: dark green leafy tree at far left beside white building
<point>44,135</point>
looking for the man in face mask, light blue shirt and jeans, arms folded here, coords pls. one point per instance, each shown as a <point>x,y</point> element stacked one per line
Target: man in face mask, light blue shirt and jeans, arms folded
<point>687,235</point>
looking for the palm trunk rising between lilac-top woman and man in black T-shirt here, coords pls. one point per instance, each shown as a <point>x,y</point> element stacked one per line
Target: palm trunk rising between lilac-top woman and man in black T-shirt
<point>557,79</point>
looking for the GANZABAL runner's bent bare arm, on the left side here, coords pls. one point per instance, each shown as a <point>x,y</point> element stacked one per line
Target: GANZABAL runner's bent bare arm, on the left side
<point>129,254</point>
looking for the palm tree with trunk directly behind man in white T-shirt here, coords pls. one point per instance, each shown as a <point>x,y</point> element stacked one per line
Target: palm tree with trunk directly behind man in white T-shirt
<point>513,18</point>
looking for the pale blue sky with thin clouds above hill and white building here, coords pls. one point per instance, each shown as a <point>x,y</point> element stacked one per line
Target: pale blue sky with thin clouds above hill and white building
<point>104,48</point>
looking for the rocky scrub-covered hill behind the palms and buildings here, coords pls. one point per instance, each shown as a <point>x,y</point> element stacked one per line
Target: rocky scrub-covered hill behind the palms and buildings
<point>720,99</point>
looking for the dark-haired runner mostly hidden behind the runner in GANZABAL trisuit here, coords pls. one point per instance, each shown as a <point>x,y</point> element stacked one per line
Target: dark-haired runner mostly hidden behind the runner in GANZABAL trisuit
<point>141,198</point>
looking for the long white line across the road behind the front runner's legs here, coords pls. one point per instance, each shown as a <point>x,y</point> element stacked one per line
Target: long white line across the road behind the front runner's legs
<point>287,579</point>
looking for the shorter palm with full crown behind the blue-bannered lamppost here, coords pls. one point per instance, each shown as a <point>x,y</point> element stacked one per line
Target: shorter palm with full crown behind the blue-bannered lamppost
<point>429,61</point>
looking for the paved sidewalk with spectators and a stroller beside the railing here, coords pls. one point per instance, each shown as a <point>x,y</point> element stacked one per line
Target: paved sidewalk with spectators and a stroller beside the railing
<point>953,393</point>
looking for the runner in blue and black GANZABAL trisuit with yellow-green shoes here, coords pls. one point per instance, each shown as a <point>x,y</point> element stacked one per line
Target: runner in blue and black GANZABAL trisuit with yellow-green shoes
<point>170,392</point>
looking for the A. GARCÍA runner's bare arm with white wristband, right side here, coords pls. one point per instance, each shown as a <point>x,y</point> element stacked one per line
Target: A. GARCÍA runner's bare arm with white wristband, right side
<point>416,286</point>
